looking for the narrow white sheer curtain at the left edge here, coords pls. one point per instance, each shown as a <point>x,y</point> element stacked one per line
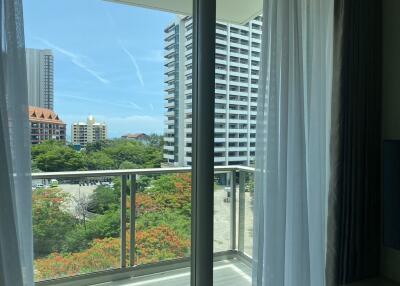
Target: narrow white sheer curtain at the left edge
<point>16,255</point>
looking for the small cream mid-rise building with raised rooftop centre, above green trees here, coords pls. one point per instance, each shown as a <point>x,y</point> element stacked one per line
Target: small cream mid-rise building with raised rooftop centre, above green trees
<point>88,132</point>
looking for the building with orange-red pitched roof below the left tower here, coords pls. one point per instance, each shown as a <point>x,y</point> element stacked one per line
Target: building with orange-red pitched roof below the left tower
<point>45,125</point>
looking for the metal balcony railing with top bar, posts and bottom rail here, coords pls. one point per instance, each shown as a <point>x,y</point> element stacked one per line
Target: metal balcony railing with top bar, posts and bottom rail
<point>236,204</point>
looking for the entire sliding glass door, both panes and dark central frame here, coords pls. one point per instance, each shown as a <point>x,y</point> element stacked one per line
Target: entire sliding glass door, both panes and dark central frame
<point>142,139</point>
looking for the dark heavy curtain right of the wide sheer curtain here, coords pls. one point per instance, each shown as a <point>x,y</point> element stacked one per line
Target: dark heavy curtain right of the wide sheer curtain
<point>354,199</point>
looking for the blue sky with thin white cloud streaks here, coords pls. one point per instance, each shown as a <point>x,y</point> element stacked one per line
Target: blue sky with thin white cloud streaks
<point>108,61</point>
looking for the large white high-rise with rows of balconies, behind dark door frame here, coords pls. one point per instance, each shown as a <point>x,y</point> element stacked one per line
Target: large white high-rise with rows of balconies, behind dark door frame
<point>238,49</point>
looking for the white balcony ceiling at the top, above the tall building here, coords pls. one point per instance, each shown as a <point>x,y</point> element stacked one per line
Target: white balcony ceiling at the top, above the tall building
<point>232,11</point>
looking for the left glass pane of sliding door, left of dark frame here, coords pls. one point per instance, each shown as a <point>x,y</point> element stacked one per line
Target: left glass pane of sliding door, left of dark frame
<point>110,91</point>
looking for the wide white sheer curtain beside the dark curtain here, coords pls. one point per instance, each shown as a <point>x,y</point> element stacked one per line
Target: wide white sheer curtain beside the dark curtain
<point>292,151</point>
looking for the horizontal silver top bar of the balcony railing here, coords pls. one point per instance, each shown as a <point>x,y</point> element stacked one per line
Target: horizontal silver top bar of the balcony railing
<point>149,171</point>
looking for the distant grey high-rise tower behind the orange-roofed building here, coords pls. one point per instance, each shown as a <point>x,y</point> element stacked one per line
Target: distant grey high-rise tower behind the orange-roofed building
<point>40,66</point>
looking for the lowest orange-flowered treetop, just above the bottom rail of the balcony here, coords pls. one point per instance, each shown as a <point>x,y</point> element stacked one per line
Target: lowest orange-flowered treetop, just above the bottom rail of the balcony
<point>153,245</point>
